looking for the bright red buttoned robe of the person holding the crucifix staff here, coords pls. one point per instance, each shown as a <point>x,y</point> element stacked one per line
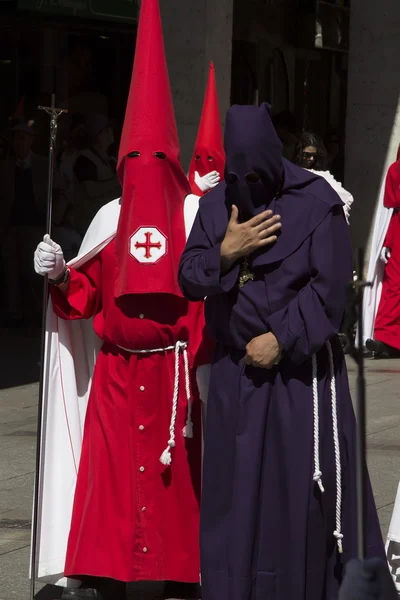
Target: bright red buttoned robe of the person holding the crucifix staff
<point>133,518</point>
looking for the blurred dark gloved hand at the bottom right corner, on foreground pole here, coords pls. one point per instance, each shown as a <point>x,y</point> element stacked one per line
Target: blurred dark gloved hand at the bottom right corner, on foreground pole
<point>368,580</point>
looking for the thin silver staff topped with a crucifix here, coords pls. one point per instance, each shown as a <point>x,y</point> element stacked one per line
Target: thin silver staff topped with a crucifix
<point>54,115</point>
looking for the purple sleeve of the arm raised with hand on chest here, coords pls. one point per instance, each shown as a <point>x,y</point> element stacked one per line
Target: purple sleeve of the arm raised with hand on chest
<point>200,266</point>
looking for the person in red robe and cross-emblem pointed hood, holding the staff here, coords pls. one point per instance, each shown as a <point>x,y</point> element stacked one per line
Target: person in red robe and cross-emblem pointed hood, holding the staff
<point>135,515</point>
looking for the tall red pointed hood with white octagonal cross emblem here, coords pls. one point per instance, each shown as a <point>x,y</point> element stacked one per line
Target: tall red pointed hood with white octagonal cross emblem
<point>151,231</point>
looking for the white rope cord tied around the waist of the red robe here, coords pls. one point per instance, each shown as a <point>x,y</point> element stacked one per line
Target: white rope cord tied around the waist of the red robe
<point>179,347</point>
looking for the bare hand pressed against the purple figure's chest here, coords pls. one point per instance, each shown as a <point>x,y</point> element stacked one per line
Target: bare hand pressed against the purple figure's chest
<point>241,239</point>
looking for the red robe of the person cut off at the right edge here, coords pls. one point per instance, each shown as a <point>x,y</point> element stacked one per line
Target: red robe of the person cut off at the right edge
<point>387,322</point>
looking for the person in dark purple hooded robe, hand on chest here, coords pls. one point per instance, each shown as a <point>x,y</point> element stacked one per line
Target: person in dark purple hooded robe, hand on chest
<point>278,518</point>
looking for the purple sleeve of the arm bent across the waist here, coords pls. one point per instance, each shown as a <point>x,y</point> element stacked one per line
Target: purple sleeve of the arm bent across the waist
<point>315,314</point>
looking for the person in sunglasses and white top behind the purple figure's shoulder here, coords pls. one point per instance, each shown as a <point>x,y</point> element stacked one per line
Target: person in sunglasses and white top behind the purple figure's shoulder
<point>311,154</point>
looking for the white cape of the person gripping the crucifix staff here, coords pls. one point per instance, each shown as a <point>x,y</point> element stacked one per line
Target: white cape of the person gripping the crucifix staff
<point>70,355</point>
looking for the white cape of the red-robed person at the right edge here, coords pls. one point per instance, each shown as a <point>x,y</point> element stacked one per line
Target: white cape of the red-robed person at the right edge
<point>376,267</point>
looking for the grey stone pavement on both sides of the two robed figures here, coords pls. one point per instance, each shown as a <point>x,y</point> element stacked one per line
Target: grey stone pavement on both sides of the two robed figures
<point>19,359</point>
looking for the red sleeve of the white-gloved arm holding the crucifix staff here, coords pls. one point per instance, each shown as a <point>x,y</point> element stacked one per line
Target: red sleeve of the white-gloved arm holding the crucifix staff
<point>83,298</point>
